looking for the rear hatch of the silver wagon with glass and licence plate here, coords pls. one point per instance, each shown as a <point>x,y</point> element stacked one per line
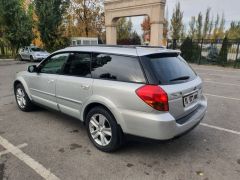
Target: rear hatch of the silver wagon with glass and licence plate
<point>182,85</point>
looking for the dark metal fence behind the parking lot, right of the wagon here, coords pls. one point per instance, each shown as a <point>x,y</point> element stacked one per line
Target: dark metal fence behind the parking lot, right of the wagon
<point>208,51</point>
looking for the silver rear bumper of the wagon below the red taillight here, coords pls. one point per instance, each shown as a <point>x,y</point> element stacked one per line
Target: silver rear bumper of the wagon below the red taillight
<point>162,126</point>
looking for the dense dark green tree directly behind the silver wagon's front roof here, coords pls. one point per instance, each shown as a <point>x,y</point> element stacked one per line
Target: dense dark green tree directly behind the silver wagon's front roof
<point>50,22</point>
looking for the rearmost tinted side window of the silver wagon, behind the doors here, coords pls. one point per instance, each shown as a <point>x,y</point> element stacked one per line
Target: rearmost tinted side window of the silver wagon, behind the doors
<point>116,67</point>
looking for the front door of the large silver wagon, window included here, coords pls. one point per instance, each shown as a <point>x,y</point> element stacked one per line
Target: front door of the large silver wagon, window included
<point>43,84</point>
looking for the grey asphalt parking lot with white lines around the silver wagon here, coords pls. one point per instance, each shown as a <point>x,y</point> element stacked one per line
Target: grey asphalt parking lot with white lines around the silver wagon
<point>49,145</point>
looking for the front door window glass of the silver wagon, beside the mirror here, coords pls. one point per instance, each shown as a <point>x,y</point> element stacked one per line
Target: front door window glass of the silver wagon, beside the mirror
<point>54,64</point>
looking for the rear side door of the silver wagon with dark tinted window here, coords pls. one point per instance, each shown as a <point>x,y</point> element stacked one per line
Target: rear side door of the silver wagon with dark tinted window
<point>74,86</point>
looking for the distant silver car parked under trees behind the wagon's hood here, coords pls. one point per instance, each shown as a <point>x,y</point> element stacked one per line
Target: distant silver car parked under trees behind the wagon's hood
<point>32,53</point>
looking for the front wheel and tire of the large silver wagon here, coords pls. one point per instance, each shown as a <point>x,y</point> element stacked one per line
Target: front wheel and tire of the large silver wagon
<point>22,99</point>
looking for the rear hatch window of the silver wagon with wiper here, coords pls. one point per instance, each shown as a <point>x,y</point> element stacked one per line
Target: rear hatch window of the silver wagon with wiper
<point>170,68</point>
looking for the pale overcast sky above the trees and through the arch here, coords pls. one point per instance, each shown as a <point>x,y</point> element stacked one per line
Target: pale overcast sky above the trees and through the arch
<point>231,9</point>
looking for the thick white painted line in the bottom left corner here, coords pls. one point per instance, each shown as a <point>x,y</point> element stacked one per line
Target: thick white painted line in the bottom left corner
<point>37,167</point>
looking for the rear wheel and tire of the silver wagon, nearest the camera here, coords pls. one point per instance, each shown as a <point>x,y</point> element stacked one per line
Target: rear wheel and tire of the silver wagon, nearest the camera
<point>103,130</point>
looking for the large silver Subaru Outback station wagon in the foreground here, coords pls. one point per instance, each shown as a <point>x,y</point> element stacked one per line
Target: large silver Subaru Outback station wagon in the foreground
<point>117,91</point>
